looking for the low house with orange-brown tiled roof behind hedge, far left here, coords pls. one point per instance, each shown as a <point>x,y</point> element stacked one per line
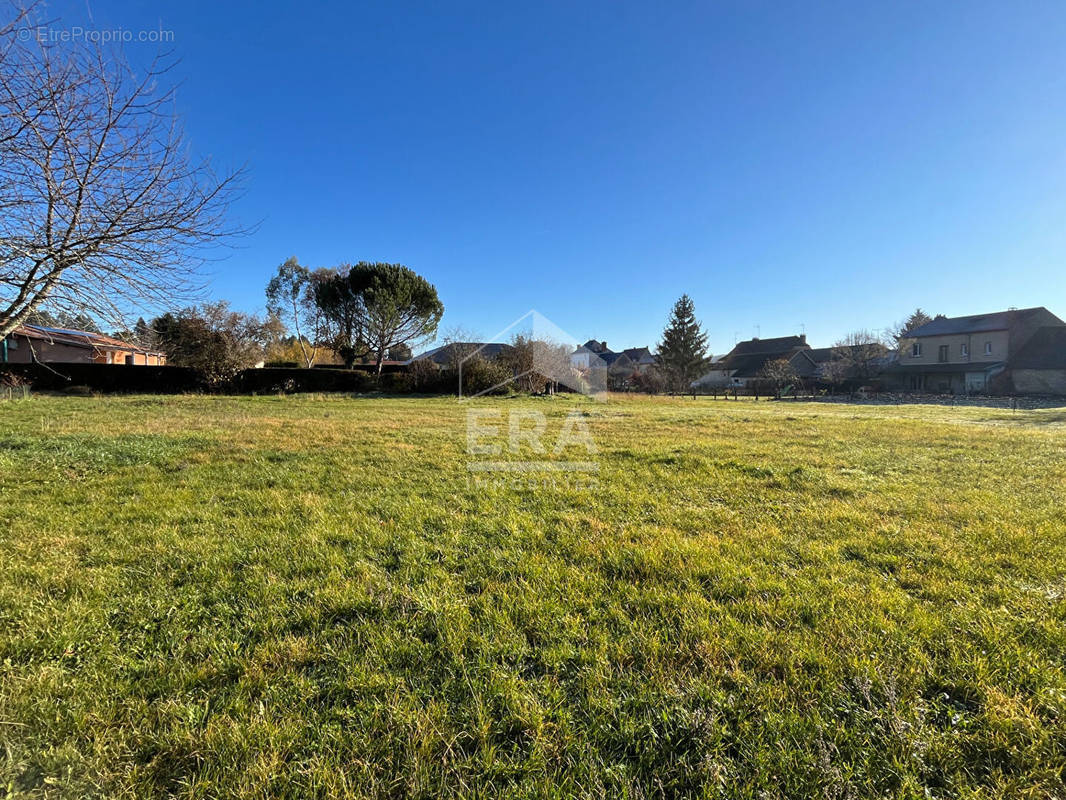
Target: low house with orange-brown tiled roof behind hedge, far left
<point>36,344</point>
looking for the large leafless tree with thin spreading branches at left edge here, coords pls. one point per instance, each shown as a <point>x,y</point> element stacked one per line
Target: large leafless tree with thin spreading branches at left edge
<point>102,209</point>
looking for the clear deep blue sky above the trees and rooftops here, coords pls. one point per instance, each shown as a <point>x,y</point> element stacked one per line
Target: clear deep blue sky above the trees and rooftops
<point>817,164</point>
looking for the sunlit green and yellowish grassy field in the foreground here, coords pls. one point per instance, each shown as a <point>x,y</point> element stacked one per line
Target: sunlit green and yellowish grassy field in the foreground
<point>211,597</point>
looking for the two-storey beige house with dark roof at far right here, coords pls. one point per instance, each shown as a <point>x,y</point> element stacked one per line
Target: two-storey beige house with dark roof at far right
<point>977,354</point>
